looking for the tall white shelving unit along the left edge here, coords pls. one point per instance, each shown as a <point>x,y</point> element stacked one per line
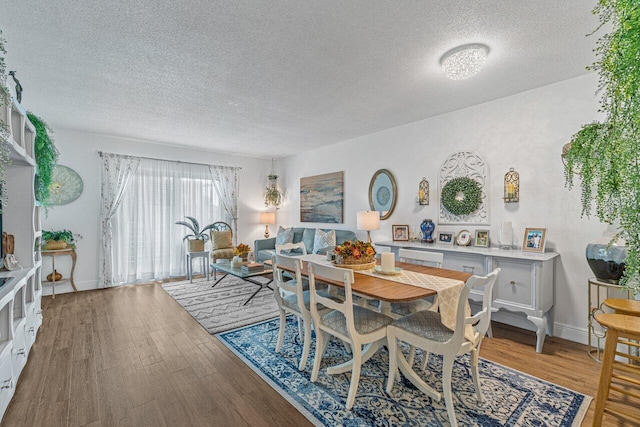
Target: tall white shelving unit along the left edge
<point>21,295</point>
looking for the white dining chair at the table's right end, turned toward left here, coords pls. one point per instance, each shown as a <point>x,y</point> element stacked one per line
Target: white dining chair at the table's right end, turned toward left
<point>425,330</point>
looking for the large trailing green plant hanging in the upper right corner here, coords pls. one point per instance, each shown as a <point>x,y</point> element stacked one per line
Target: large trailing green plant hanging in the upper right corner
<point>606,155</point>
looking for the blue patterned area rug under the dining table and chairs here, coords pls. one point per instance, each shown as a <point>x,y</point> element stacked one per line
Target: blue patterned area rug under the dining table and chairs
<point>512,398</point>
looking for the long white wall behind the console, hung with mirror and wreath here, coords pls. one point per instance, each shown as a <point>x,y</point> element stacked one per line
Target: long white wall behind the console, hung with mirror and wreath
<point>525,131</point>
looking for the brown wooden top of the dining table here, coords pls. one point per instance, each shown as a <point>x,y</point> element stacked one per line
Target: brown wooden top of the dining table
<point>379,287</point>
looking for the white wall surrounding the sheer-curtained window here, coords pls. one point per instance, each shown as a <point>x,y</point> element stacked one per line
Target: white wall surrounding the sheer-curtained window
<point>79,150</point>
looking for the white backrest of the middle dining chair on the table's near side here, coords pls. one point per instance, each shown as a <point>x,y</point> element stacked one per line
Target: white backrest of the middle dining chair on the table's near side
<point>317,272</point>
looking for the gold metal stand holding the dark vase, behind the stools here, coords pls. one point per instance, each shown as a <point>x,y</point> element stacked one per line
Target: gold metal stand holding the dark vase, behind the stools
<point>598,292</point>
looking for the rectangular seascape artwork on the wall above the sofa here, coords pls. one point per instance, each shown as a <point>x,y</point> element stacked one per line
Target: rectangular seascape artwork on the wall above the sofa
<point>322,198</point>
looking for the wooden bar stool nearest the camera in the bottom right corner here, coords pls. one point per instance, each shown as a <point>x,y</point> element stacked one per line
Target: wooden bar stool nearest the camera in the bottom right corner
<point>621,329</point>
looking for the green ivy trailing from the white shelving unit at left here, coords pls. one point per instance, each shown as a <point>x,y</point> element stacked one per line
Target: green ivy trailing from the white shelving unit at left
<point>46,158</point>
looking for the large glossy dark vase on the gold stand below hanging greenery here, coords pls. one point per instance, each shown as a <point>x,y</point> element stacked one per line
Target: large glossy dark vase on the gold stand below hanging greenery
<point>607,260</point>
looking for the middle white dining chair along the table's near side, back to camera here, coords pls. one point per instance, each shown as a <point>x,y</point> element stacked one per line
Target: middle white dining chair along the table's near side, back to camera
<point>352,324</point>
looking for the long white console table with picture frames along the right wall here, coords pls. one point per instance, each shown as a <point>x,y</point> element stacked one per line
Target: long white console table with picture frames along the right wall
<point>525,284</point>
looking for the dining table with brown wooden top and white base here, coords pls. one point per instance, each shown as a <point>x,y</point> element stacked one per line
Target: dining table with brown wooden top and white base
<point>385,288</point>
